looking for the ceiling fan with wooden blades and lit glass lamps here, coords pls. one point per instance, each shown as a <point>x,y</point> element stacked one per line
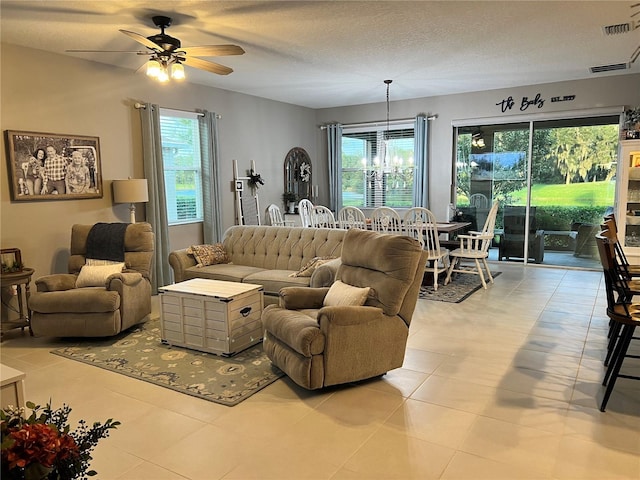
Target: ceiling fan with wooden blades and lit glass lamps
<point>167,55</point>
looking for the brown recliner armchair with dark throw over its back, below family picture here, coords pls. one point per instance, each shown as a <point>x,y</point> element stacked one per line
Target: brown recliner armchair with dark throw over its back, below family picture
<point>61,309</point>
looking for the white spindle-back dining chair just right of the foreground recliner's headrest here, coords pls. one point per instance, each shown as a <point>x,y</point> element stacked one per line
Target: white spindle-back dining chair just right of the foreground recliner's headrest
<point>420,223</point>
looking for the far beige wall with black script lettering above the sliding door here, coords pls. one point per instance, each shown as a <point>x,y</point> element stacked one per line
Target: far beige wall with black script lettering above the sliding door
<point>599,92</point>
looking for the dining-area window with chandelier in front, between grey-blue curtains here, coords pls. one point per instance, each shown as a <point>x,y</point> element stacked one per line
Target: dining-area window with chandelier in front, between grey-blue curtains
<point>378,166</point>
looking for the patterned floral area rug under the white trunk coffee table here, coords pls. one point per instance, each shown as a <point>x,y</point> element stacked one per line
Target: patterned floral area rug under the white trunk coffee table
<point>138,353</point>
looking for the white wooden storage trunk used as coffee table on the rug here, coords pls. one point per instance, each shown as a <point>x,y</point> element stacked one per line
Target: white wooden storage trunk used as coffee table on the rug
<point>211,315</point>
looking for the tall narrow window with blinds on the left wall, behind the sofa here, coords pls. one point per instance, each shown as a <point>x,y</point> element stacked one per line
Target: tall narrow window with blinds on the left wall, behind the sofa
<point>181,156</point>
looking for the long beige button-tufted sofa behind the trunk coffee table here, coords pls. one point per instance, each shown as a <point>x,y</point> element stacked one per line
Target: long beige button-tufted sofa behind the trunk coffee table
<point>268,256</point>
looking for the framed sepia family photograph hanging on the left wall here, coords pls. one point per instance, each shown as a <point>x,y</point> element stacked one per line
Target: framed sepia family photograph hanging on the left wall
<point>50,166</point>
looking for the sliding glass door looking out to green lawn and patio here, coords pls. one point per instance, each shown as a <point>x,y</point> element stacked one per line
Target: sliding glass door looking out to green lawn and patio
<point>554,180</point>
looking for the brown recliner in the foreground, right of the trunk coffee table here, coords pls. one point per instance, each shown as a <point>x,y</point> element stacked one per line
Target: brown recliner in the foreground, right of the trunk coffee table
<point>318,345</point>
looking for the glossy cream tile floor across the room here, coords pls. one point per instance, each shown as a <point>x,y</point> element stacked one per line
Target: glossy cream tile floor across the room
<point>505,385</point>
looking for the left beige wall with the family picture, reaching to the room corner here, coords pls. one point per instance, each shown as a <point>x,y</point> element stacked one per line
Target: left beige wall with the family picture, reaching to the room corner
<point>43,92</point>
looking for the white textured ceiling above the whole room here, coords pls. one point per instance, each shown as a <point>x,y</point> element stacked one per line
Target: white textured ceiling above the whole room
<point>332,53</point>
